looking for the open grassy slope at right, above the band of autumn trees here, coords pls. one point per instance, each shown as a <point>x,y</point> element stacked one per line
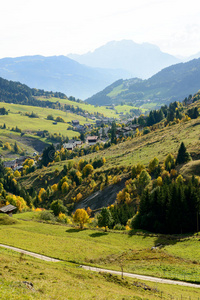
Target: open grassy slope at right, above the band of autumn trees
<point>138,150</point>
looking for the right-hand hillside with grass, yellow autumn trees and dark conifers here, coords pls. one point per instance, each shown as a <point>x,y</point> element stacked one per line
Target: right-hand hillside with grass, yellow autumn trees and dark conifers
<point>148,164</point>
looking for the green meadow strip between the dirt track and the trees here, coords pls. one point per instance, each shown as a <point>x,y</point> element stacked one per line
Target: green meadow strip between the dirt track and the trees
<point>105,249</point>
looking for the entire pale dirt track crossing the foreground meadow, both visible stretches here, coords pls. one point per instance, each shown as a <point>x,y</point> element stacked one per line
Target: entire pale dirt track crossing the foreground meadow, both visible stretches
<point>94,269</point>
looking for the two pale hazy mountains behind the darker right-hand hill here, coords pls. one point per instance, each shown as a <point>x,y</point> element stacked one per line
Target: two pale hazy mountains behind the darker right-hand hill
<point>83,76</point>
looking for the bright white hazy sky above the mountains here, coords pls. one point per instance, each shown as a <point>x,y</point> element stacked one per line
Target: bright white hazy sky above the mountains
<point>29,27</point>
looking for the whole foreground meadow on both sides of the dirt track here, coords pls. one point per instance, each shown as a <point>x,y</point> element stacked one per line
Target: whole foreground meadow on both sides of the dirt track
<point>65,281</point>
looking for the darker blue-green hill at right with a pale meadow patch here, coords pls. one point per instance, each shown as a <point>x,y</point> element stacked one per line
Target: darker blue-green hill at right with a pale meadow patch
<point>171,84</point>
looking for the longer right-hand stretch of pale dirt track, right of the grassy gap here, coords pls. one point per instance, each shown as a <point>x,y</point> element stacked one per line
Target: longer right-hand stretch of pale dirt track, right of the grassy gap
<point>142,277</point>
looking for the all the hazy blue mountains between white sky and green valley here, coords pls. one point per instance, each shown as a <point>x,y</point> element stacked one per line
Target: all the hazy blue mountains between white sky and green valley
<point>85,75</point>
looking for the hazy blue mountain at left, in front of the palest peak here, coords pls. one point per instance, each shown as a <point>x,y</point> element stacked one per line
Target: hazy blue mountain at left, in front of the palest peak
<point>58,73</point>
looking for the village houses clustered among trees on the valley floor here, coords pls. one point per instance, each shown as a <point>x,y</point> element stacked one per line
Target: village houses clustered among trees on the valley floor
<point>90,134</point>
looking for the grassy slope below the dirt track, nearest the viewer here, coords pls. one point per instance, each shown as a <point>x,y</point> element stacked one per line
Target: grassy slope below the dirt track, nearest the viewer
<point>66,281</point>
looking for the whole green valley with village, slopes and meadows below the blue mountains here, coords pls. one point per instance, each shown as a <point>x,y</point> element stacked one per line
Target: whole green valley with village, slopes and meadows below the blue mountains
<point>114,187</point>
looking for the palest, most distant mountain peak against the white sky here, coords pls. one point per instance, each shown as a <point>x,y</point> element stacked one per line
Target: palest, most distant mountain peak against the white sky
<point>141,60</point>
